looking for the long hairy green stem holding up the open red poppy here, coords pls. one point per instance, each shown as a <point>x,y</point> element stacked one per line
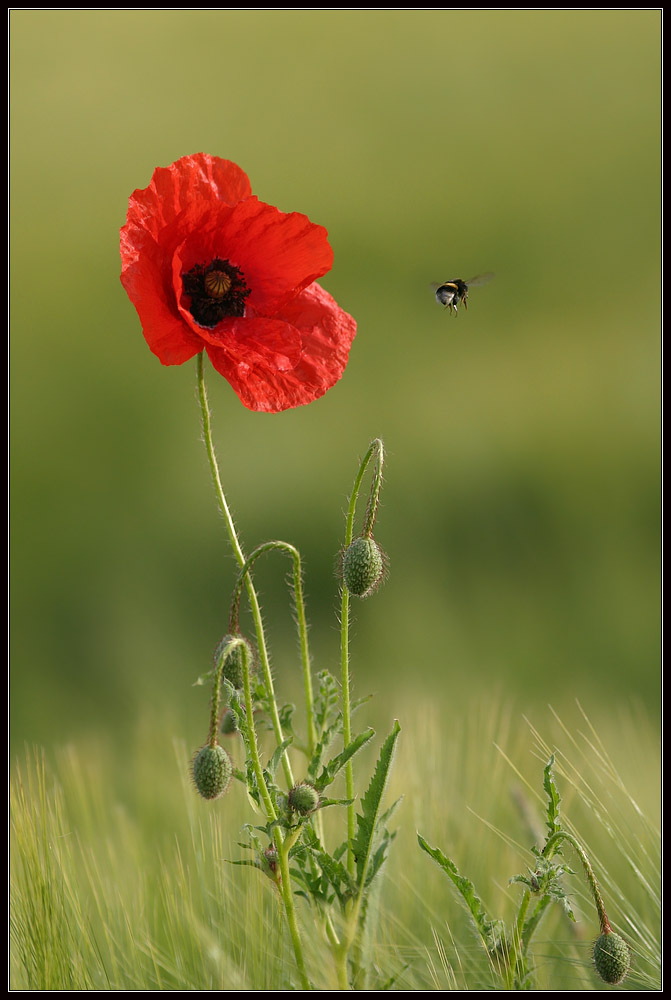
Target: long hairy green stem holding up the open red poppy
<point>240,558</point>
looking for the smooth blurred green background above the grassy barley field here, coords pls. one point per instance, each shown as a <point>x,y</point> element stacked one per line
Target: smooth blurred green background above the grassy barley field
<point>521,510</point>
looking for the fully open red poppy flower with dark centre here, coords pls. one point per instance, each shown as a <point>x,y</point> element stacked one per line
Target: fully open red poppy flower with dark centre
<point>209,266</point>
